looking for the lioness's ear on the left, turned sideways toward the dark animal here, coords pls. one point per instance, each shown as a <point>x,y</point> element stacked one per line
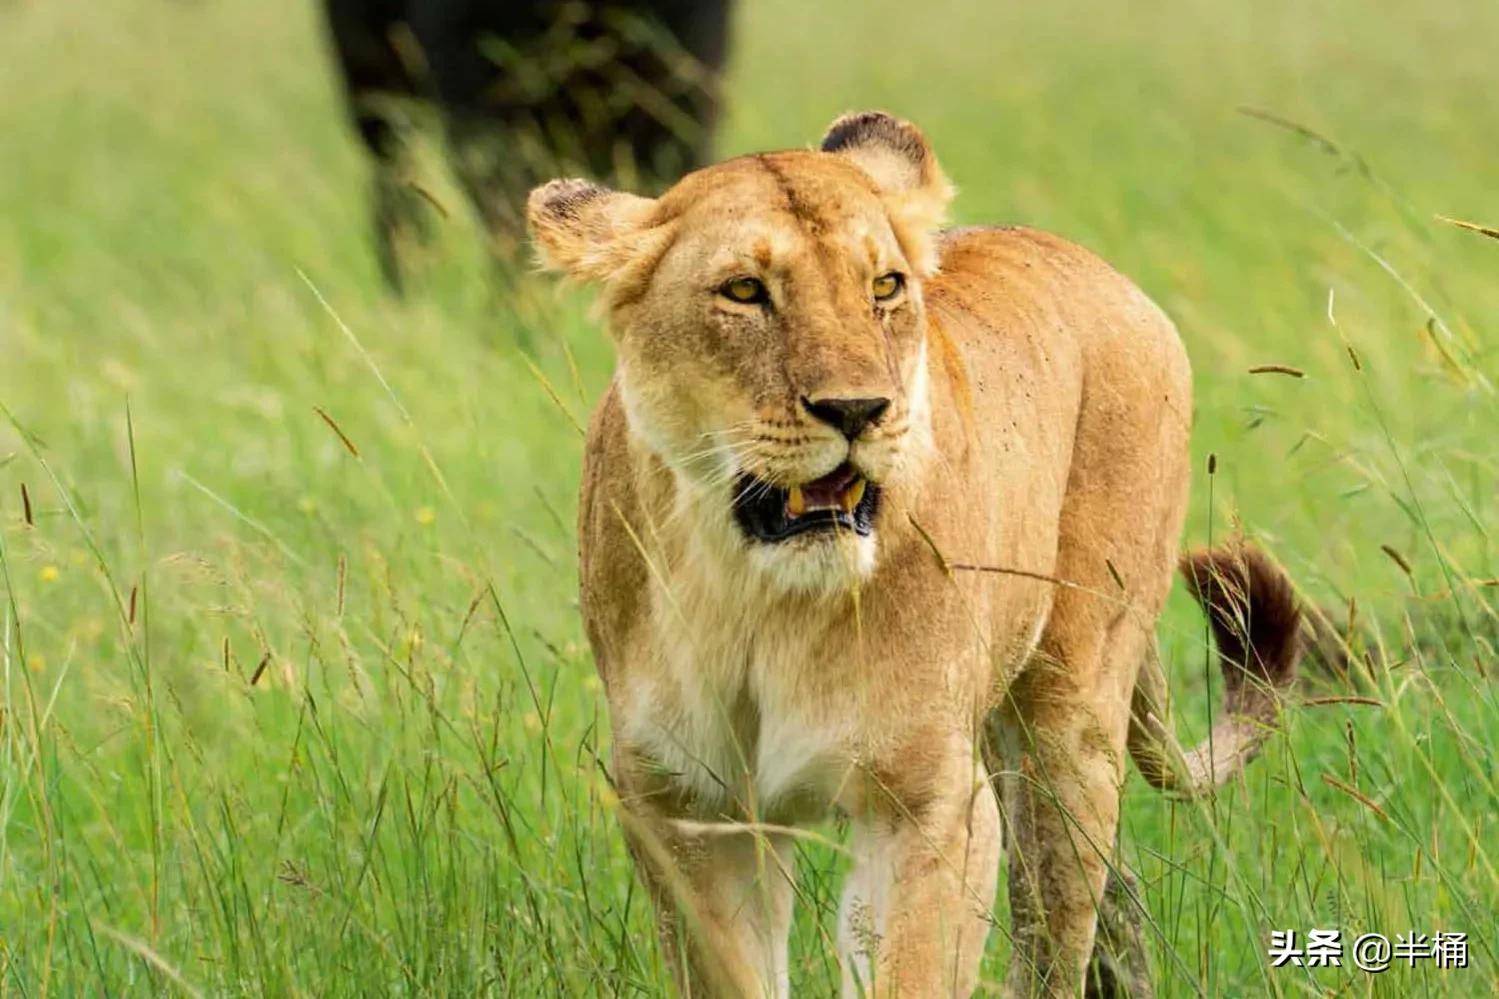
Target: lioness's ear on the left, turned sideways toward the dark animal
<point>585,230</point>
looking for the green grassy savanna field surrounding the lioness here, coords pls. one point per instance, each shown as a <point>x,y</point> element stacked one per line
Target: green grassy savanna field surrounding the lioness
<point>295,698</point>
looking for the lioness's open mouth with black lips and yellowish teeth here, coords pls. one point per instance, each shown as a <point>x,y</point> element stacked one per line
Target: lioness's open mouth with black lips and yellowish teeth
<point>840,500</point>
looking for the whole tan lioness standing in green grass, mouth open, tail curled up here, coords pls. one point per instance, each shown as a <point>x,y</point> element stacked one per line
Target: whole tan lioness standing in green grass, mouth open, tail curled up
<point>864,491</point>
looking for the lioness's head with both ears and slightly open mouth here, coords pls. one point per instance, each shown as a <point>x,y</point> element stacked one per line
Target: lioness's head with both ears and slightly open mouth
<point>771,335</point>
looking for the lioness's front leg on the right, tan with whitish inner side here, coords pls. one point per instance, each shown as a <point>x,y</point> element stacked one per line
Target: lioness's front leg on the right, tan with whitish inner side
<point>917,910</point>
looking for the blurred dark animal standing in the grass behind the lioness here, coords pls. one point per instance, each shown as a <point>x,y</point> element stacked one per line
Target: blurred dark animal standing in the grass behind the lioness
<point>527,91</point>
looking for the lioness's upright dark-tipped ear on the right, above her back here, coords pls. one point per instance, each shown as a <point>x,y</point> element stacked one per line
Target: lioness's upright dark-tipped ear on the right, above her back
<point>897,157</point>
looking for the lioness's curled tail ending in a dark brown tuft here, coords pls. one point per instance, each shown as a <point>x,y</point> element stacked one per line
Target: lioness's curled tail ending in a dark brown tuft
<point>1257,626</point>
